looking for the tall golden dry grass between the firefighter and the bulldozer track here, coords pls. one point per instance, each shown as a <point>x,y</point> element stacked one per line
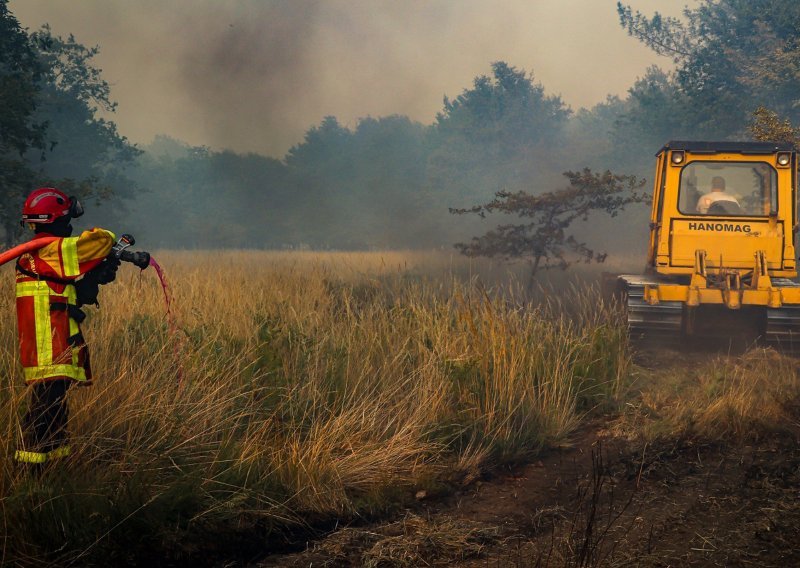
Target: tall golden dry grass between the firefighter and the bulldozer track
<point>300,388</point>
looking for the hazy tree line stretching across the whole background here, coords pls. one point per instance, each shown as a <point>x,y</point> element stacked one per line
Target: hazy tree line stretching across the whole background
<point>391,181</point>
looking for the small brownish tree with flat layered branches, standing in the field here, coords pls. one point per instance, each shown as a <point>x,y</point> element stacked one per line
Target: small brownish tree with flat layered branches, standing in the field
<point>542,240</point>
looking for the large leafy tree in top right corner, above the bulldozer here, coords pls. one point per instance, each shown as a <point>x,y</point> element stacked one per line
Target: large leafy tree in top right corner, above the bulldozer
<point>731,57</point>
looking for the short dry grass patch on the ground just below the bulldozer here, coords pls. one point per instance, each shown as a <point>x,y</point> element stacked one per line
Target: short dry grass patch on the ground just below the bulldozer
<point>713,397</point>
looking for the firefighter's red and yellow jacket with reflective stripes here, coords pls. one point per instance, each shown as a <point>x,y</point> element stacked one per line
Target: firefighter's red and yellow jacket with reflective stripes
<point>51,346</point>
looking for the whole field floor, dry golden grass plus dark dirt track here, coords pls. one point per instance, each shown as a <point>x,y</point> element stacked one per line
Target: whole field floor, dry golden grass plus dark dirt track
<point>297,392</point>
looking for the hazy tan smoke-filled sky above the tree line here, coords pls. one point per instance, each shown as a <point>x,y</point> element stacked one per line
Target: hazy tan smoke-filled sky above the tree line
<point>254,75</point>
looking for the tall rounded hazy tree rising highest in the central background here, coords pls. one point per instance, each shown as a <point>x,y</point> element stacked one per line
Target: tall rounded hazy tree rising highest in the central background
<point>495,134</point>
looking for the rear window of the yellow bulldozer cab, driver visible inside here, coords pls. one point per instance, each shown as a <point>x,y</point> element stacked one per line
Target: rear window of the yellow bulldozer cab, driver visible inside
<point>728,188</point>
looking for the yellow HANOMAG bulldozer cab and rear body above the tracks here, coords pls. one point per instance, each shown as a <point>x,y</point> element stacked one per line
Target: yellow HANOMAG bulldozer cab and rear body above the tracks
<point>731,203</point>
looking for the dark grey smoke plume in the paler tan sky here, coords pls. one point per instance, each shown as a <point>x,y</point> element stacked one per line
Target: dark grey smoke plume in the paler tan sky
<point>248,70</point>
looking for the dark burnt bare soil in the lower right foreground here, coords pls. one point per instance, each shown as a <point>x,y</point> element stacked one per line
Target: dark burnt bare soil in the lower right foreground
<point>597,501</point>
